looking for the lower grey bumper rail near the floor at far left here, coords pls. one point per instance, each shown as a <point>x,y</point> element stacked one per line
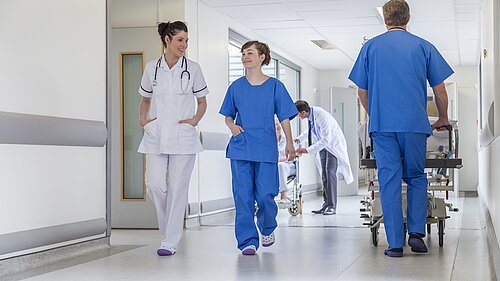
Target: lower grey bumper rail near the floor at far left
<point>23,240</point>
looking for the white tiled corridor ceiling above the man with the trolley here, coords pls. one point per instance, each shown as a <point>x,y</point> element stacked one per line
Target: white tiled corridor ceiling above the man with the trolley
<point>451,25</point>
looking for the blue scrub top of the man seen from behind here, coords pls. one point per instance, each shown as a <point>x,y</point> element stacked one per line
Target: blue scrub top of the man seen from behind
<point>394,67</point>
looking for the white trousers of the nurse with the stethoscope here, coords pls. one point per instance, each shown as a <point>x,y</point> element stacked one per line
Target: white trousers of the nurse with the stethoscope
<point>167,182</point>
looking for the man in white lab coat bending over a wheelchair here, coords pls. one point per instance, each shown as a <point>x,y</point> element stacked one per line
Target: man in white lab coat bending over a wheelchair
<point>327,142</point>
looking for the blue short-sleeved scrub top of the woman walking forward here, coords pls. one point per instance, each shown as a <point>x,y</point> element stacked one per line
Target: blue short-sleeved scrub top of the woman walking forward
<point>253,108</point>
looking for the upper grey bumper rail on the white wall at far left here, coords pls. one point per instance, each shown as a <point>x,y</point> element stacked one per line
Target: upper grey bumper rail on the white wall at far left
<point>17,128</point>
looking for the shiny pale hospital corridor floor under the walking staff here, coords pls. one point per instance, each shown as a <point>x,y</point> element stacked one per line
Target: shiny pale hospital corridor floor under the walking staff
<point>308,247</point>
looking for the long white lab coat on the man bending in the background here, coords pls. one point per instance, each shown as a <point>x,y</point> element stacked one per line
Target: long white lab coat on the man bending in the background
<point>330,138</point>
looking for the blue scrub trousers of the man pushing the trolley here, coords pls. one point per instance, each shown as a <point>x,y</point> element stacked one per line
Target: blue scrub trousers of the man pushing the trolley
<point>401,156</point>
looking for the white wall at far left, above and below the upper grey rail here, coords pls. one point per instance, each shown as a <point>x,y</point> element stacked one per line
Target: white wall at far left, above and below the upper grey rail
<point>54,64</point>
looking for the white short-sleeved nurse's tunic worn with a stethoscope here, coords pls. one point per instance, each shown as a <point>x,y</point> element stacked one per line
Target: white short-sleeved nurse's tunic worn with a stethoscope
<point>170,103</point>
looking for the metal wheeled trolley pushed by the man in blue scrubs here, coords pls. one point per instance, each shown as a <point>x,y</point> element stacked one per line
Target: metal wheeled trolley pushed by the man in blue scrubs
<point>440,170</point>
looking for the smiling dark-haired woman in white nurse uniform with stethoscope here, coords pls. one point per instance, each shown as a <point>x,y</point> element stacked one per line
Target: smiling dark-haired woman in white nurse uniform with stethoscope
<point>169,87</point>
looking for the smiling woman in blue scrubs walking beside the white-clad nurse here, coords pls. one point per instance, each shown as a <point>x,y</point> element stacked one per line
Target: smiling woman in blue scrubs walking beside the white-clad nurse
<point>250,104</point>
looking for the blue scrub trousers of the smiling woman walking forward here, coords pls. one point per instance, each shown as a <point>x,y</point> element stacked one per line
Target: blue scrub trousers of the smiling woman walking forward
<point>254,181</point>
